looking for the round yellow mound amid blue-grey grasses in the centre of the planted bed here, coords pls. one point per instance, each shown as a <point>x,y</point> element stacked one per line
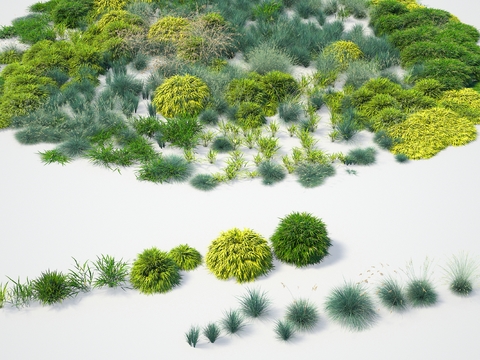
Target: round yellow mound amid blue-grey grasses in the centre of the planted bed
<point>181,95</point>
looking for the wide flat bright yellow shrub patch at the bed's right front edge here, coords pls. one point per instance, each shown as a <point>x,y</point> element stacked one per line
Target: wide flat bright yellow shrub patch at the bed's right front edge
<point>427,132</point>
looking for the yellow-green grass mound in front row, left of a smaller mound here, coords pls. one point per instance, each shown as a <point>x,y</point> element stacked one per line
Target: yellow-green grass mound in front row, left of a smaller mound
<point>154,271</point>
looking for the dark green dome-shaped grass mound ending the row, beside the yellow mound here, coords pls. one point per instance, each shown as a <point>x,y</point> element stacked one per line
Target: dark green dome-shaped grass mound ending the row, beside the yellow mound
<point>300,239</point>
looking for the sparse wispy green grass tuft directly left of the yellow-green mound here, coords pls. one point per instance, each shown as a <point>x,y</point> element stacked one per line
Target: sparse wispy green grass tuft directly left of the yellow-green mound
<point>110,272</point>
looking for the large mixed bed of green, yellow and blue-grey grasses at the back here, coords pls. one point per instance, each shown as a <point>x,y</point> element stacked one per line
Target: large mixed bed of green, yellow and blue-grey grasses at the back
<point>197,97</point>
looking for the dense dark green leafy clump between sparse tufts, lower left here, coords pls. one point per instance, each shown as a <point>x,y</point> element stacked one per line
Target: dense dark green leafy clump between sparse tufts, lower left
<point>52,287</point>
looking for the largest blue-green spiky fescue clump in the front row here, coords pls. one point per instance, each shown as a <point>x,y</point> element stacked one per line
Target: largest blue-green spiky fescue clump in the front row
<point>351,306</point>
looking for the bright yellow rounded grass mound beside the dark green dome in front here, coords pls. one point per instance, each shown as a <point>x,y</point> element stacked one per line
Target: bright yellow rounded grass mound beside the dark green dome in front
<point>242,254</point>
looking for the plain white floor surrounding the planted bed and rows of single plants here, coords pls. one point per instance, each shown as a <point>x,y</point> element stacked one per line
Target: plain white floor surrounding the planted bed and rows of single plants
<point>379,219</point>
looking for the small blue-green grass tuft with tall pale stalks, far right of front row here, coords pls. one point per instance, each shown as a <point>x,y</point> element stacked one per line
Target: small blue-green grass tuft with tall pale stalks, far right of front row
<point>460,271</point>
